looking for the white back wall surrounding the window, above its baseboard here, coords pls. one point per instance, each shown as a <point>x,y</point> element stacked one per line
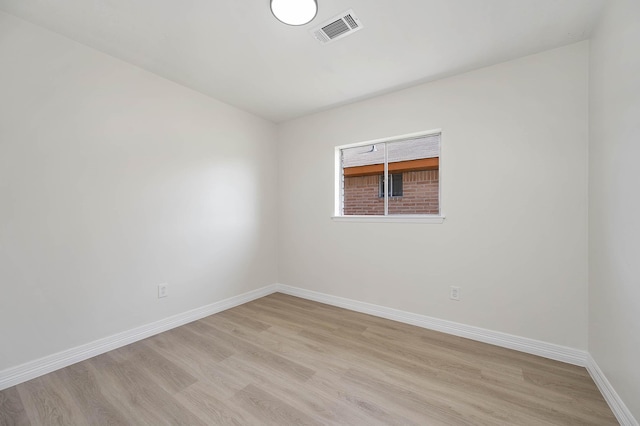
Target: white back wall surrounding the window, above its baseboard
<point>514,185</point>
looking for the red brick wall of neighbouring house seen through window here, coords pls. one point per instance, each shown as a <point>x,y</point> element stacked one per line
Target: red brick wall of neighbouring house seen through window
<point>420,195</point>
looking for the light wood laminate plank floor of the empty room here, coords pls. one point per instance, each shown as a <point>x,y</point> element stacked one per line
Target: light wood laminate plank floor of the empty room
<point>283,360</point>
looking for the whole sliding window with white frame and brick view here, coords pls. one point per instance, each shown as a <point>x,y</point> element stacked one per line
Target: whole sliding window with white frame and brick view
<point>392,177</point>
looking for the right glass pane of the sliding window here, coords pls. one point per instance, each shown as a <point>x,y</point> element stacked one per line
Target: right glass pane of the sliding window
<point>418,162</point>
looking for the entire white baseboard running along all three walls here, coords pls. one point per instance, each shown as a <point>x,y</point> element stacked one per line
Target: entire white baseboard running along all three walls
<point>30,370</point>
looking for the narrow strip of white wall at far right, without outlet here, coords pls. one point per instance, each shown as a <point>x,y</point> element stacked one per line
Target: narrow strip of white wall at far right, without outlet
<point>614,199</point>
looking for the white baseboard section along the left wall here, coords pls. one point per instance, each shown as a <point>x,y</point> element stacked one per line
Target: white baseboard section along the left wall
<point>32,369</point>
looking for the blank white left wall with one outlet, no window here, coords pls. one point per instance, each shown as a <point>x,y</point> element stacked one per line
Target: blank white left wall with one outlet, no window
<point>113,180</point>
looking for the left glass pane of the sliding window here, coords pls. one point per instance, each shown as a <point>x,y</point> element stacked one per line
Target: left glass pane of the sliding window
<point>362,172</point>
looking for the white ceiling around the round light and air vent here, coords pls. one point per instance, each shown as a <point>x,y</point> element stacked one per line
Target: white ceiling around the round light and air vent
<point>237,52</point>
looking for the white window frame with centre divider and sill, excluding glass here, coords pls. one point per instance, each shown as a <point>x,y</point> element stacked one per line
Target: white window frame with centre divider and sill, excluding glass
<point>414,218</point>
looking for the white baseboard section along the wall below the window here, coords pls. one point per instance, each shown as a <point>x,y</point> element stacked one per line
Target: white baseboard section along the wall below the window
<point>522,344</point>
